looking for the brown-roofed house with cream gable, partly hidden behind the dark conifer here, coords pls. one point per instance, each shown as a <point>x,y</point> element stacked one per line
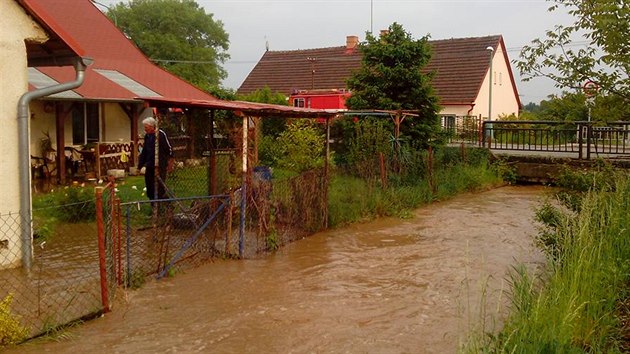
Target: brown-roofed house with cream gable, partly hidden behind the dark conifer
<point>317,77</point>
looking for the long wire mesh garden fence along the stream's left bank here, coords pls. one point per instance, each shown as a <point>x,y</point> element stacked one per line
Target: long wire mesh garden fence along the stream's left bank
<point>87,247</point>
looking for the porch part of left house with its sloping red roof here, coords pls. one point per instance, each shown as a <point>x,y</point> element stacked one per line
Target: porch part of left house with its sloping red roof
<point>108,108</point>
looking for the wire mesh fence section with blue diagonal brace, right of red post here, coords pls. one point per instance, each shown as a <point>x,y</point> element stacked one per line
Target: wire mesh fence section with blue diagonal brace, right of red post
<point>164,237</point>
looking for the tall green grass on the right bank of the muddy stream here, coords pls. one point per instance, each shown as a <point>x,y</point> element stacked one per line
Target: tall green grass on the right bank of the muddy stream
<point>574,306</point>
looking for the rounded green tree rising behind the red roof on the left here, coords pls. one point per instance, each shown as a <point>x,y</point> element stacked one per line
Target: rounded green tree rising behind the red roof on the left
<point>179,35</point>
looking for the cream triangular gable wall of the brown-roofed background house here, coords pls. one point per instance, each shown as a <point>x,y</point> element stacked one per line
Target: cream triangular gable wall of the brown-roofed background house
<point>504,101</point>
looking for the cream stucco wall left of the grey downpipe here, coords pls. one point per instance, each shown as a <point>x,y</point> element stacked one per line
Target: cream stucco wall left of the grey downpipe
<point>16,26</point>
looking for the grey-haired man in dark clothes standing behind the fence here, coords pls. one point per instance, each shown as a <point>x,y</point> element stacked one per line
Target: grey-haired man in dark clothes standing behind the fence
<point>147,158</point>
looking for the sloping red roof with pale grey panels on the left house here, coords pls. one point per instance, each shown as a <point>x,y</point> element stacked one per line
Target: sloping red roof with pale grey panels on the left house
<point>81,21</point>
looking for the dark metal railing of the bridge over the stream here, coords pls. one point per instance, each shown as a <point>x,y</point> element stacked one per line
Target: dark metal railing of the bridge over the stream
<point>580,138</point>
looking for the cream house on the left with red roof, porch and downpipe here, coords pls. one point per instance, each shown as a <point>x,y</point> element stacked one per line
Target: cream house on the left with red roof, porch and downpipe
<point>70,76</point>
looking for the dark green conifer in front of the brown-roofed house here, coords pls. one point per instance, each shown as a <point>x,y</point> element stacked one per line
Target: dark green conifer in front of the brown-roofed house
<point>390,78</point>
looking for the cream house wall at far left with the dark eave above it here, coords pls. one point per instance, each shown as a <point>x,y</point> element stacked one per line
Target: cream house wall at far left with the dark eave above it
<point>24,39</point>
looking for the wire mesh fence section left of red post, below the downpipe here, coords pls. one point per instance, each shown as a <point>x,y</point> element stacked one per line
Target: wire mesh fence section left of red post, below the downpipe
<point>61,284</point>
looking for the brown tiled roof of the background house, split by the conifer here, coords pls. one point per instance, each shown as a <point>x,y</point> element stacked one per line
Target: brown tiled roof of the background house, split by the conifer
<point>460,65</point>
